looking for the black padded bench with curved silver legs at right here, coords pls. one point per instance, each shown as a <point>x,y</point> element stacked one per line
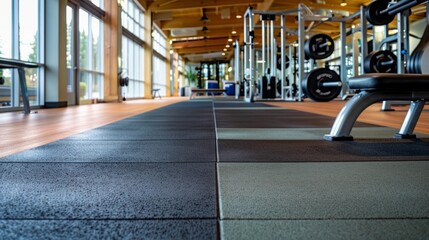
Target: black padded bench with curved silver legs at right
<point>378,87</point>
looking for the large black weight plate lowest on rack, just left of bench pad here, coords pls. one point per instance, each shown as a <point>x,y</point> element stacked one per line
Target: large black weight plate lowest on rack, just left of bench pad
<point>312,85</point>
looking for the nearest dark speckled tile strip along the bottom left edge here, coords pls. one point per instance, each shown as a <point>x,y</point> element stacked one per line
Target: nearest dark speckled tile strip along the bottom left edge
<point>105,229</point>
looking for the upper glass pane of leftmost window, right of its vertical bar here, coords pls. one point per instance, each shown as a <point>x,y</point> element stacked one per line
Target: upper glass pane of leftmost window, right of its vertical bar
<point>28,25</point>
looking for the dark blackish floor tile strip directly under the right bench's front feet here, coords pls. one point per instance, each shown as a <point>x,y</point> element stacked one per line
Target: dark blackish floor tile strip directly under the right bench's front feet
<point>323,151</point>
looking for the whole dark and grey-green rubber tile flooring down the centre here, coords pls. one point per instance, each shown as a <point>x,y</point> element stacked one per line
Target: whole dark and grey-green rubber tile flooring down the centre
<point>207,169</point>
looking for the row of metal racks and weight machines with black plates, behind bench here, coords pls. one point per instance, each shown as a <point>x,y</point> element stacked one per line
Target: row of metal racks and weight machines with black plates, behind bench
<point>320,84</point>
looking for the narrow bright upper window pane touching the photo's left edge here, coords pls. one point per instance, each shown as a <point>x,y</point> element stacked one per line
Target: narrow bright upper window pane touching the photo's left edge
<point>6,29</point>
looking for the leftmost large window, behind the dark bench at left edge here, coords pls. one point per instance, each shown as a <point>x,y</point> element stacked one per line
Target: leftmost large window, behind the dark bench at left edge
<point>19,40</point>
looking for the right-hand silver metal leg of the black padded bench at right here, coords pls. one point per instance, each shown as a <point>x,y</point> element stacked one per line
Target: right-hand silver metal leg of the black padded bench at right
<point>410,121</point>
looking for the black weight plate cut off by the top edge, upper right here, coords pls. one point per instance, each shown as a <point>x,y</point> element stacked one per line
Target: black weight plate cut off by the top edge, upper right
<point>374,16</point>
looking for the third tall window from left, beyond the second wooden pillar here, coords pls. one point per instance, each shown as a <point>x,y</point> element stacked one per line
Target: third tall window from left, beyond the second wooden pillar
<point>132,48</point>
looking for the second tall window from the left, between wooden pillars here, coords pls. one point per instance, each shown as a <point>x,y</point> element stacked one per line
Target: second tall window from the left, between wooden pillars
<point>91,56</point>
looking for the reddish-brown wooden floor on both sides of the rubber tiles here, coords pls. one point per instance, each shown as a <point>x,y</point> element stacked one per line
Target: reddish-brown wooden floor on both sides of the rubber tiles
<point>19,132</point>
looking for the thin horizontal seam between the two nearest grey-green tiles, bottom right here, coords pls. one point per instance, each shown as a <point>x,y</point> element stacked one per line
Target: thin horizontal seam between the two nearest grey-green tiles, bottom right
<point>326,219</point>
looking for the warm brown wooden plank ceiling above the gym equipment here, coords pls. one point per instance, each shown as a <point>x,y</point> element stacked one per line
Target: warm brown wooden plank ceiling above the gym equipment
<point>181,21</point>
